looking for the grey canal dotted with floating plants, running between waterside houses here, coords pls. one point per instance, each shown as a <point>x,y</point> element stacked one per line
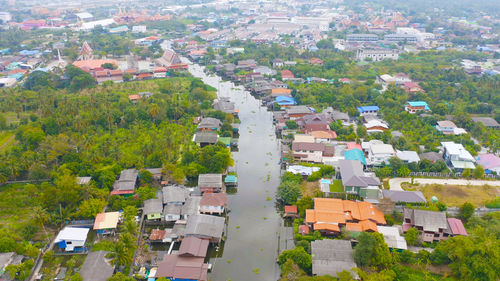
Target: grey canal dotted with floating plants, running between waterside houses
<point>250,249</point>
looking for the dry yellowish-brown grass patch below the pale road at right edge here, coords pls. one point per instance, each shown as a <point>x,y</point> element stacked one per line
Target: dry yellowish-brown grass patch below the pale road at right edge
<point>457,195</point>
